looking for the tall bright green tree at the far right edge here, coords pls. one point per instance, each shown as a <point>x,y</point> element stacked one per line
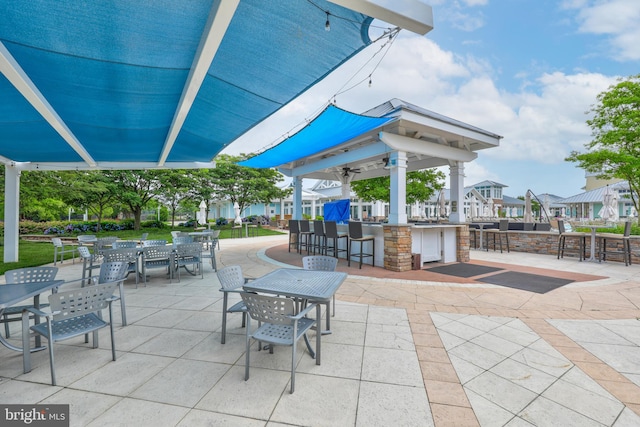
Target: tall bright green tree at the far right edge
<point>614,151</point>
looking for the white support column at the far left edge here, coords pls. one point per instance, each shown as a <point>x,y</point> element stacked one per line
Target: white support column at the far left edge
<point>11,213</point>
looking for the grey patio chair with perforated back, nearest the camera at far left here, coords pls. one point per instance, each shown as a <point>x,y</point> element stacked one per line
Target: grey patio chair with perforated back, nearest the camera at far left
<point>73,313</point>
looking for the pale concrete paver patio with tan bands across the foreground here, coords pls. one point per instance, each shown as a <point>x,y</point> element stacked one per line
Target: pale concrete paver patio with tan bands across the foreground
<point>404,351</point>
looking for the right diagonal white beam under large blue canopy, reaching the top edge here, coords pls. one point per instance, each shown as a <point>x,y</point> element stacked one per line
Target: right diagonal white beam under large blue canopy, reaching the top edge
<point>220,16</point>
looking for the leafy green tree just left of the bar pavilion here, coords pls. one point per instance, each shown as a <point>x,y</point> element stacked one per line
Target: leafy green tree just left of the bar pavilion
<point>244,185</point>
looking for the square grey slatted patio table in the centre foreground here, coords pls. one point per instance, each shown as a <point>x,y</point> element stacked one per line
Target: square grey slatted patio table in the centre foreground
<point>307,285</point>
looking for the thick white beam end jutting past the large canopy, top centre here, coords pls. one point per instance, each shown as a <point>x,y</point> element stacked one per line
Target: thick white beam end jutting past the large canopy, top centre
<point>412,15</point>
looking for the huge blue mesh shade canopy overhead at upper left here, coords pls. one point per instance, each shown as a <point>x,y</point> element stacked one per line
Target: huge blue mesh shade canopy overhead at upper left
<point>114,75</point>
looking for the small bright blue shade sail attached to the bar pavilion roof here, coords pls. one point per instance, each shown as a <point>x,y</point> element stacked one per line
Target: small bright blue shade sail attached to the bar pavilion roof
<point>331,128</point>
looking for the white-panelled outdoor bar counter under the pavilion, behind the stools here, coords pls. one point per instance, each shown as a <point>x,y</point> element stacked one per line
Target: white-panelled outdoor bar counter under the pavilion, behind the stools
<point>434,242</point>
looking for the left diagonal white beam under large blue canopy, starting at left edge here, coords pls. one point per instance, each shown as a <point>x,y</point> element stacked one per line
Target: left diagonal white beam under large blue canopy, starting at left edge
<point>10,68</point>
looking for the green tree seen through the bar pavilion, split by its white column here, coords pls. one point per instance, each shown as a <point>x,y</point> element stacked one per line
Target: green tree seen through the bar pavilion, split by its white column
<point>421,185</point>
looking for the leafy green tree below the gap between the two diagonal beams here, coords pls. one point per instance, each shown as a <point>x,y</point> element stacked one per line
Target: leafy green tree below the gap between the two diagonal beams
<point>135,188</point>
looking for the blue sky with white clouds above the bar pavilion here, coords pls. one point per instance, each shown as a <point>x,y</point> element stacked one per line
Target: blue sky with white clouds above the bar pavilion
<point>528,70</point>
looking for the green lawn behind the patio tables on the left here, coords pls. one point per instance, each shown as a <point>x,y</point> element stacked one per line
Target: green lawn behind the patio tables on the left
<point>39,253</point>
